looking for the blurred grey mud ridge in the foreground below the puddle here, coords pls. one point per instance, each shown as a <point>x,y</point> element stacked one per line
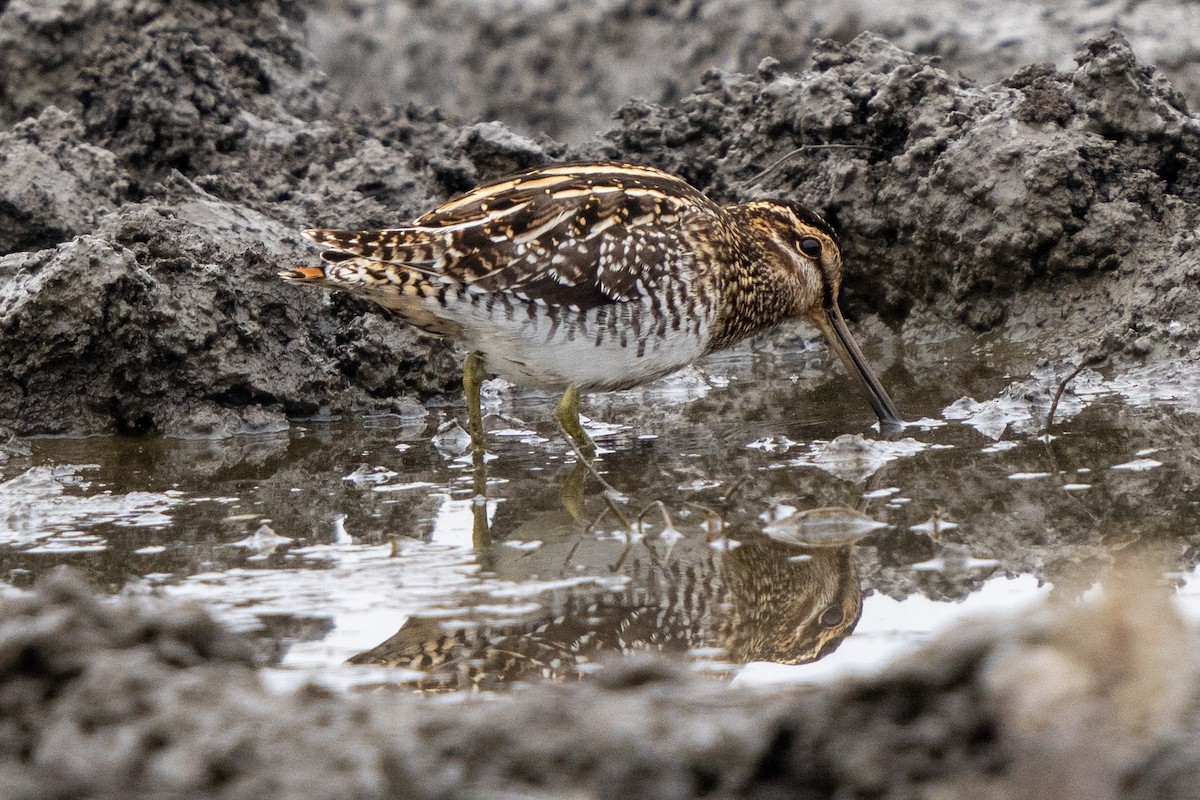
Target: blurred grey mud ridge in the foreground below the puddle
<point>119,699</point>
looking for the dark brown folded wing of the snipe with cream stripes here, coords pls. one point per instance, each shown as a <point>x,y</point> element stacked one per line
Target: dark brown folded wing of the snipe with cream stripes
<point>567,236</point>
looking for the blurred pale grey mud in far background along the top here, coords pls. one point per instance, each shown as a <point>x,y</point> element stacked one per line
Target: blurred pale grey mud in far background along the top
<point>566,68</point>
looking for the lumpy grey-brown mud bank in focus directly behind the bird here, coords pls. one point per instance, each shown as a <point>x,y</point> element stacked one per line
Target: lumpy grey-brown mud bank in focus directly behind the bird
<point>159,160</point>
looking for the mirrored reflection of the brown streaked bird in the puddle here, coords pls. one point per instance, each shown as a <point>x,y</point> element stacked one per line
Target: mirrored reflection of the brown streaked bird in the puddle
<point>755,600</point>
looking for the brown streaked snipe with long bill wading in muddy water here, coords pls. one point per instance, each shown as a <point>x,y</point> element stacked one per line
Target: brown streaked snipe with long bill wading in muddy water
<point>598,276</point>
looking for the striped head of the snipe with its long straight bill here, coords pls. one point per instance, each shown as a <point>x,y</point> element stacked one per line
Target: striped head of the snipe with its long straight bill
<point>811,248</point>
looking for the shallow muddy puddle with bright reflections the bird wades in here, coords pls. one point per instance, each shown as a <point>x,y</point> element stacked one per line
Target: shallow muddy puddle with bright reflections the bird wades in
<point>351,551</point>
